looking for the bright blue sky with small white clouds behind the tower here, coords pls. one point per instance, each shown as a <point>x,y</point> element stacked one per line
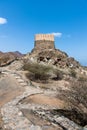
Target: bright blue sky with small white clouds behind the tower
<point>20,20</point>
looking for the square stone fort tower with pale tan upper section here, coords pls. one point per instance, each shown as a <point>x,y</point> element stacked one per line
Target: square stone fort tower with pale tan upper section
<point>44,41</point>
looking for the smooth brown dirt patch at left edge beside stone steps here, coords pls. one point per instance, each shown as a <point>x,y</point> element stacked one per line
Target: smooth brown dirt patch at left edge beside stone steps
<point>9,89</point>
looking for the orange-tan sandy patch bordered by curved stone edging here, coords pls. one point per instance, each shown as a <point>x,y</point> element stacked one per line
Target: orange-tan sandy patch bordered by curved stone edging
<point>45,100</point>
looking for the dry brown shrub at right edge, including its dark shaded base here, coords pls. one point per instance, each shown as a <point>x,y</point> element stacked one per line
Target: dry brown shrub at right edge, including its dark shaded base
<point>76,98</point>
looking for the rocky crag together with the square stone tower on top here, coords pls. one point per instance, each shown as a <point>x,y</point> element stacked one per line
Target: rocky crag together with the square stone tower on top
<point>44,51</point>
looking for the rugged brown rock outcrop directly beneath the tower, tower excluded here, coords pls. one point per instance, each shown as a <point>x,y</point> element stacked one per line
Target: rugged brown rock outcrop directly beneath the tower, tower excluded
<point>53,57</point>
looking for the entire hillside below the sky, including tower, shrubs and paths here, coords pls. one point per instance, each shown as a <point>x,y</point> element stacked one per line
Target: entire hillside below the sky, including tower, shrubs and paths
<point>42,90</point>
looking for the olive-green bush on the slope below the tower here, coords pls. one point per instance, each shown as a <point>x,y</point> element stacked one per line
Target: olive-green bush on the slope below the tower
<point>37,71</point>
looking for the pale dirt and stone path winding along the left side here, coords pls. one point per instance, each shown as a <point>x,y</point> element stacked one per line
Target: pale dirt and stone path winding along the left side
<point>14,88</point>
